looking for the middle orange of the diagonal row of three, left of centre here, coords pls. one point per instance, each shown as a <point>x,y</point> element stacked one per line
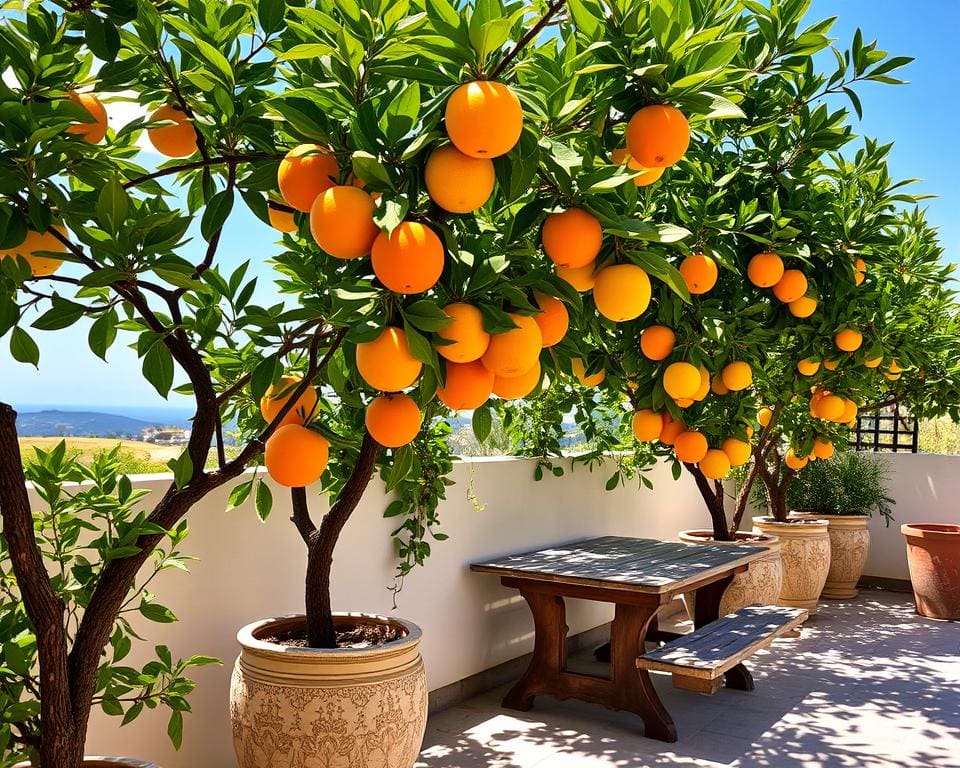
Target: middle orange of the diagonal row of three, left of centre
<point>341,222</point>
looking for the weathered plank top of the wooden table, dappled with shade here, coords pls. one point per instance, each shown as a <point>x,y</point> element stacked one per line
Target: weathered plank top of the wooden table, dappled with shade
<point>642,565</point>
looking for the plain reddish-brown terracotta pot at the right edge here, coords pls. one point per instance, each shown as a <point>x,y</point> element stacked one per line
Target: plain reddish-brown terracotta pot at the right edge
<point>933,555</point>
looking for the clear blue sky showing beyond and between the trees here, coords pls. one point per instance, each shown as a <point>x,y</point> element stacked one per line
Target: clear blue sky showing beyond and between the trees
<point>921,117</point>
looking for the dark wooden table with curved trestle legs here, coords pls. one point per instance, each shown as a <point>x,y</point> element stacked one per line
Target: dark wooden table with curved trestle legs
<point>638,576</point>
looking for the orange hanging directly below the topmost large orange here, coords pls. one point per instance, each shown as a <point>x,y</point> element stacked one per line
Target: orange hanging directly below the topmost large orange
<point>457,182</point>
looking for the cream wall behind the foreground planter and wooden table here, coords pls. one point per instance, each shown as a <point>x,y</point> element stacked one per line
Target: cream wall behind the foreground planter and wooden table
<point>248,570</point>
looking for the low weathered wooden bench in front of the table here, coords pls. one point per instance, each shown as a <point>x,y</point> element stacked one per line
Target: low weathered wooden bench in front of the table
<point>700,659</point>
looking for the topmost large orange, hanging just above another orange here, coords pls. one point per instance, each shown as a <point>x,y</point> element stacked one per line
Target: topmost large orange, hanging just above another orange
<point>484,119</point>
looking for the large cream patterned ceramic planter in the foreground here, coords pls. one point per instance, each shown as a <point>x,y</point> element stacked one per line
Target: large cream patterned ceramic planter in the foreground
<point>306,707</point>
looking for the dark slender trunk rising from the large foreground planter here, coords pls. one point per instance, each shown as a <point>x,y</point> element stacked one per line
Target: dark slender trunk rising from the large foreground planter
<point>322,542</point>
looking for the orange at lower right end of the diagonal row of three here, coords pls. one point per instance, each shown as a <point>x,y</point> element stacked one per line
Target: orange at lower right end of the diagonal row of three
<point>409,260</point>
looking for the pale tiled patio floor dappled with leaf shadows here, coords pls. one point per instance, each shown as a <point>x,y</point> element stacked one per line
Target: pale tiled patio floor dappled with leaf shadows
<point>868,685</point>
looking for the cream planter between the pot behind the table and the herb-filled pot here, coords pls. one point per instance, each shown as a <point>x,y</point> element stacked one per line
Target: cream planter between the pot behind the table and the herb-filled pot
<point>805,555</point>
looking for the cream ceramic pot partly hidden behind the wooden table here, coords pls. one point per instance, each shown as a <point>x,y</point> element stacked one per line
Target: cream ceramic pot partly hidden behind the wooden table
<point>759,584</point>
